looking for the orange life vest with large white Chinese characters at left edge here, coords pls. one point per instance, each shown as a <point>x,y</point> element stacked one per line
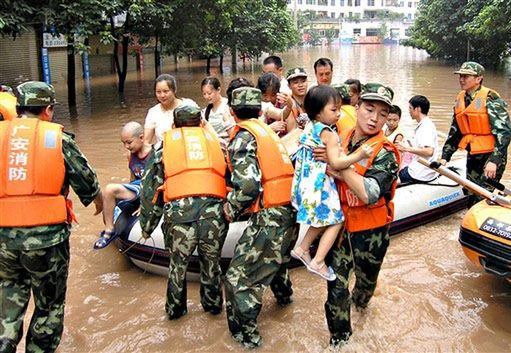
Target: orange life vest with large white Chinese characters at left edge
<point>32,173</point>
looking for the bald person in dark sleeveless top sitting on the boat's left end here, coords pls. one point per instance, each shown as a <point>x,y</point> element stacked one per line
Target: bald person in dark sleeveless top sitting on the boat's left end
<point>132,137</point>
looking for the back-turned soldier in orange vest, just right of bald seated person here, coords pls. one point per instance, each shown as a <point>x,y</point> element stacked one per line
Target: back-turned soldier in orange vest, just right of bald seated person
<point>187,176</point>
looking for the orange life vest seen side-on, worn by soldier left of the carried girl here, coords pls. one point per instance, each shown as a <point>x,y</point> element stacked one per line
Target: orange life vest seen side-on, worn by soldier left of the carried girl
<point>276,167</point>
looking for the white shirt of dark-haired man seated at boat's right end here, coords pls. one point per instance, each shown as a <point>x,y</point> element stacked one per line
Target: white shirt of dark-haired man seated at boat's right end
<point>425,136</point>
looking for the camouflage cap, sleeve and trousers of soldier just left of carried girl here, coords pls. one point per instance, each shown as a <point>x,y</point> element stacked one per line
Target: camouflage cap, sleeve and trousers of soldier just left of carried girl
<point>262,255</point>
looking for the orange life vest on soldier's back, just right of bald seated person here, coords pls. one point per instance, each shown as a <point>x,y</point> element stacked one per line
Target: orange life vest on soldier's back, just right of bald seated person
<point>194,164</point>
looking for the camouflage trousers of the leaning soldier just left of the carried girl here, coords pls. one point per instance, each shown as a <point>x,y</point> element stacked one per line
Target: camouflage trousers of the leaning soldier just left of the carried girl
<point>261,259</point>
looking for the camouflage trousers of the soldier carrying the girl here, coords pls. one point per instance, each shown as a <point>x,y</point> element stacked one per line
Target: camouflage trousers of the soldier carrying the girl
<point>369,248</point>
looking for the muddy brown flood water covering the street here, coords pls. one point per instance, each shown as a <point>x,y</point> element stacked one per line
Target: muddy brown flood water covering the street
<point>429,298</point>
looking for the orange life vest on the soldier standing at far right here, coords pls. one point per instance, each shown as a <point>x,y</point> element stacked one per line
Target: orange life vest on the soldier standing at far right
<point>474,123</point>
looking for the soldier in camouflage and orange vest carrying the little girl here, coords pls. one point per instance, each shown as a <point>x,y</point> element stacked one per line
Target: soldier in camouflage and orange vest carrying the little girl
<point>362,251</point>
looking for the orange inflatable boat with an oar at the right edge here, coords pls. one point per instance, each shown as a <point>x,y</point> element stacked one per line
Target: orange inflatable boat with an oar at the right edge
<point>485,232</point>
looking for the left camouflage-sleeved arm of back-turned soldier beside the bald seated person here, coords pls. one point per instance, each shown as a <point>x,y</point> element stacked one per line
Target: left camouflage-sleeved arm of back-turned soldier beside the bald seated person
<point>153,178</point>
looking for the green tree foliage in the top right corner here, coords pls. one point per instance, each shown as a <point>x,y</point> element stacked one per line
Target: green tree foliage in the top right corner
<point>457,30</point>
